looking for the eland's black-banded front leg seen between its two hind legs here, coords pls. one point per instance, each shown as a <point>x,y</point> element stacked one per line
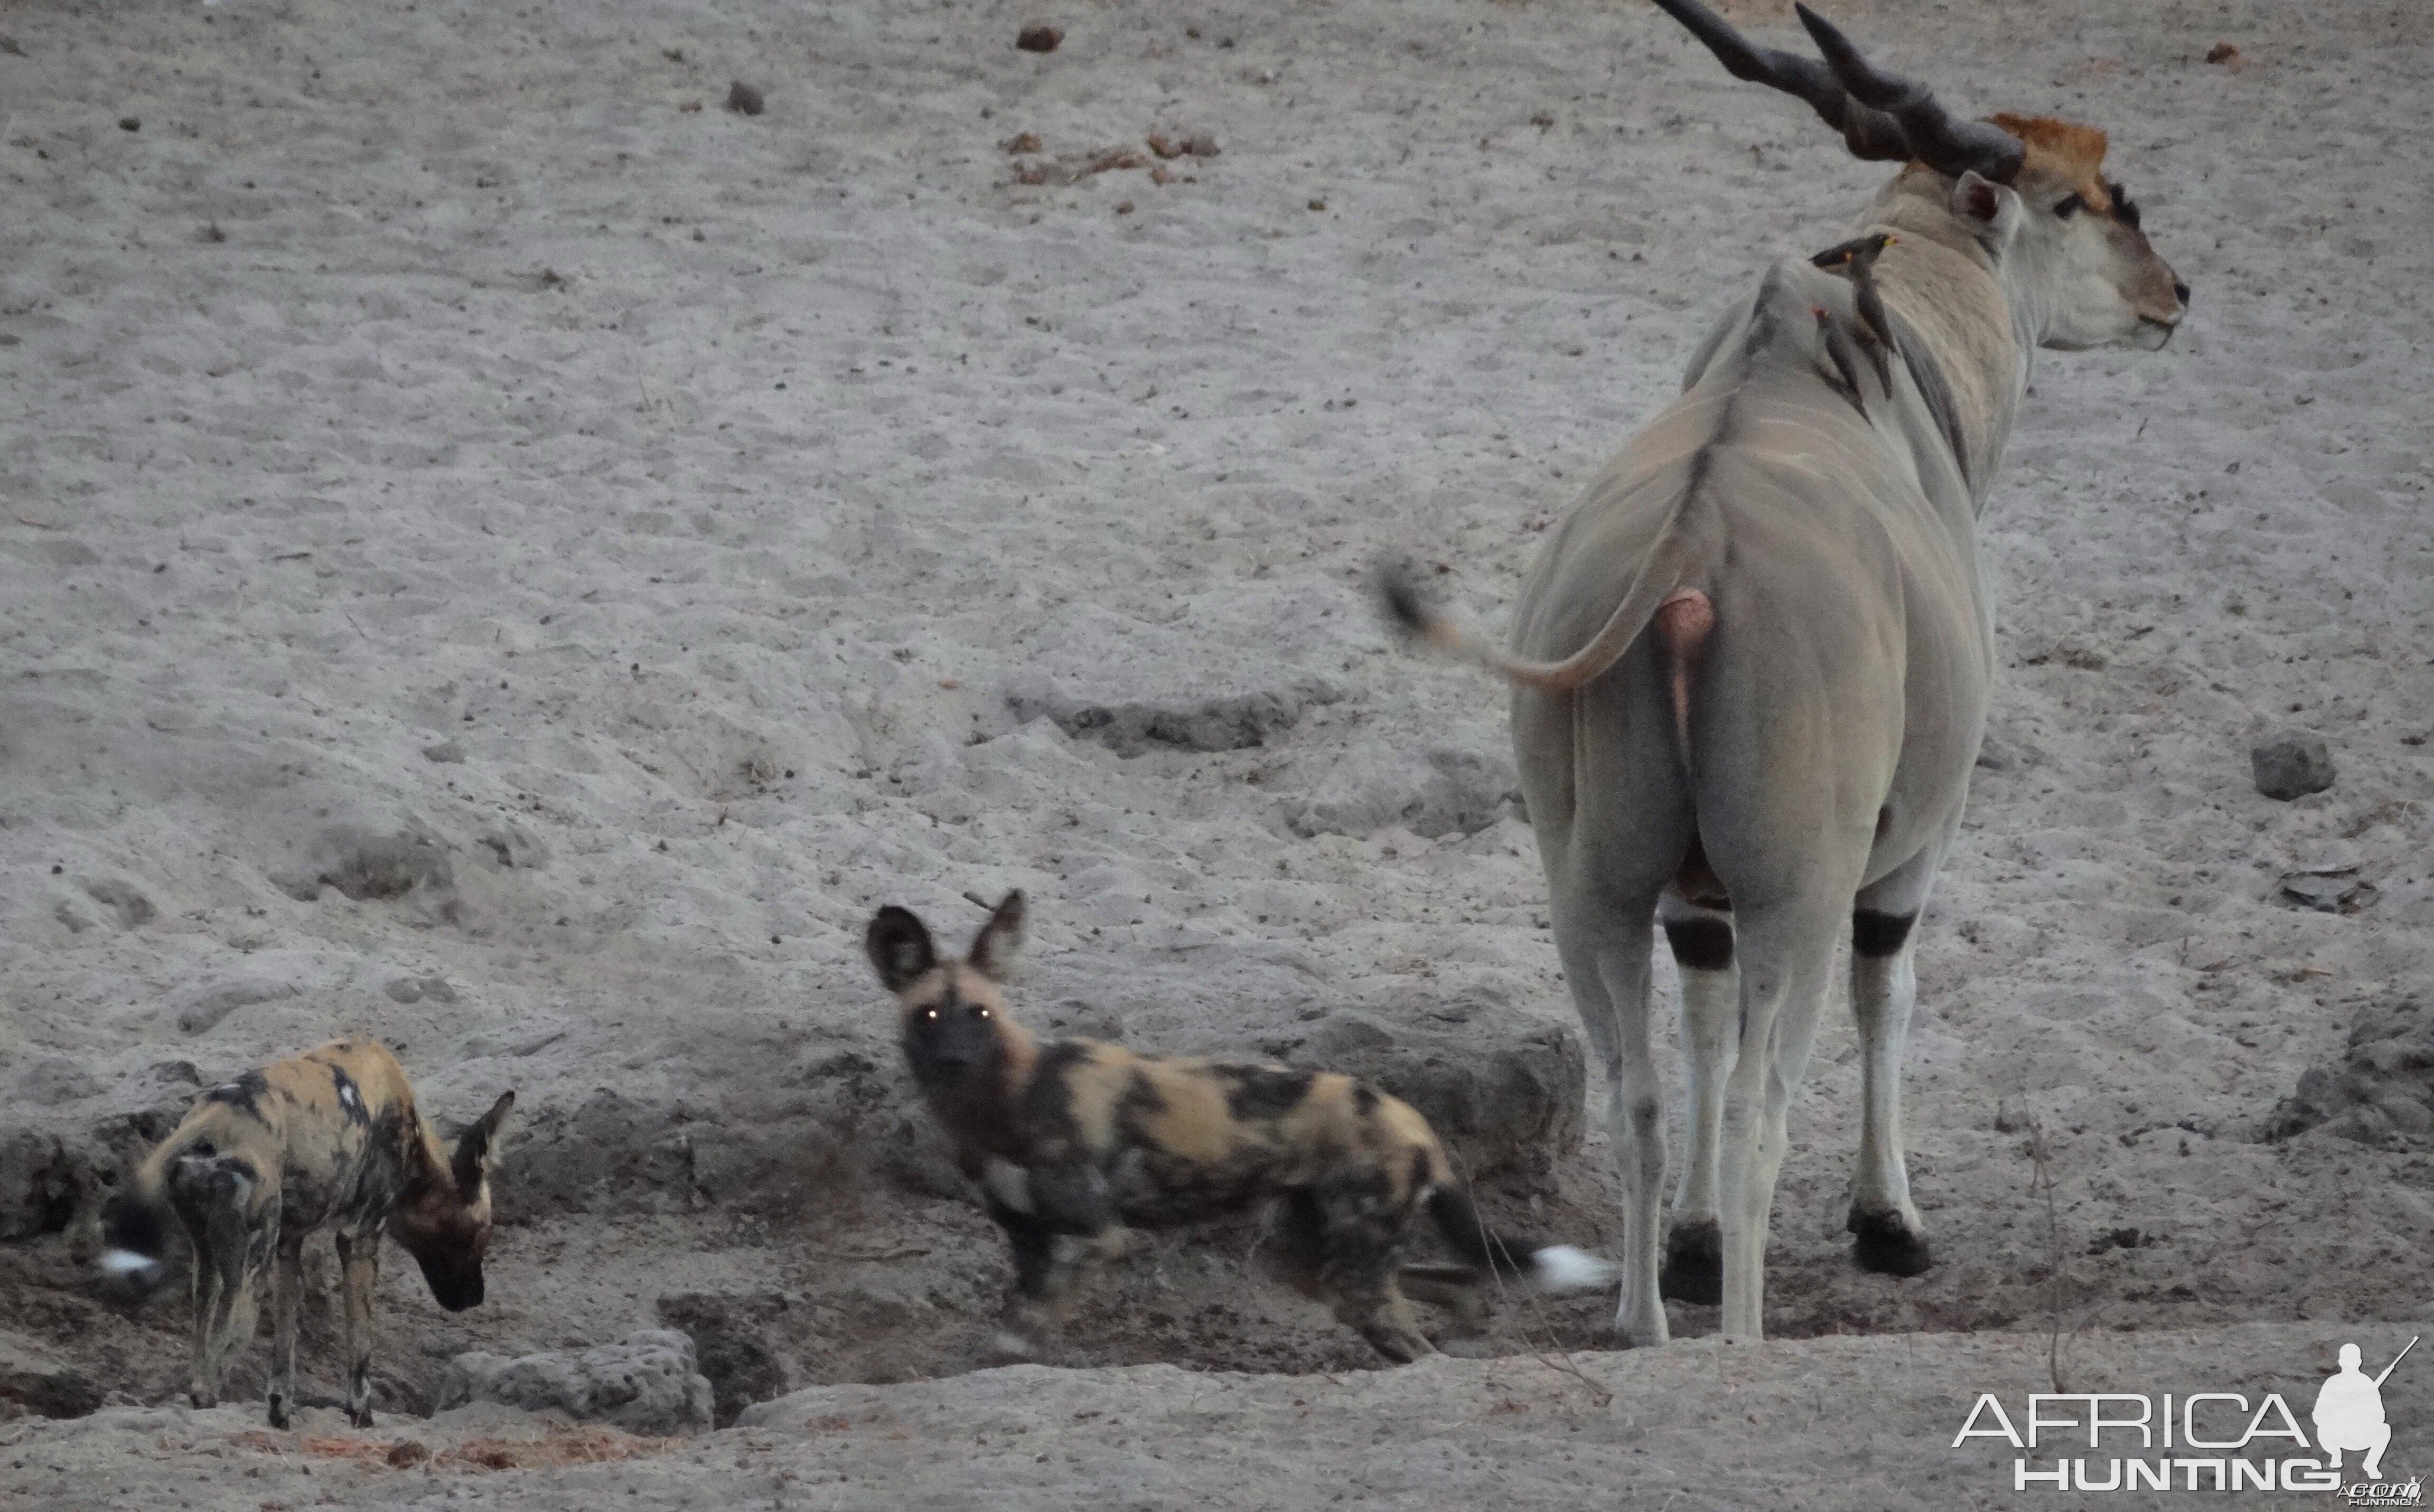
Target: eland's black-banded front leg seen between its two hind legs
<point>1703,948</point>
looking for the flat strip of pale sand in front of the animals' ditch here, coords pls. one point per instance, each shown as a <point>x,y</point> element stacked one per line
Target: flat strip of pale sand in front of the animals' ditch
<point>1829,1423</point>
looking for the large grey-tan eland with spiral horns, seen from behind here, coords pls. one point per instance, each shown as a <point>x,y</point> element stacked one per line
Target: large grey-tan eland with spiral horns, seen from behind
<point>1751,668</point>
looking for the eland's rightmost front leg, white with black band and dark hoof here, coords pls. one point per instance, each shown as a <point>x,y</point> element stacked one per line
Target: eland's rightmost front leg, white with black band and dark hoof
<point>1888,1231</point>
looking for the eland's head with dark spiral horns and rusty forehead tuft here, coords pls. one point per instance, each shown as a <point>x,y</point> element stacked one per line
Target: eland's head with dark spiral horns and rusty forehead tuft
<point>2029,191</point>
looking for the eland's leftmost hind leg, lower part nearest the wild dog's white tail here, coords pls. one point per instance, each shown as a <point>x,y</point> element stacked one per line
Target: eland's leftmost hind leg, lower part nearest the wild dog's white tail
<point>1605,951</point>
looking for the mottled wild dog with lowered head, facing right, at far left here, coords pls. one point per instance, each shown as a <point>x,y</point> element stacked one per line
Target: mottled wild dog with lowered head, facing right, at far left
<point>325,1138</point>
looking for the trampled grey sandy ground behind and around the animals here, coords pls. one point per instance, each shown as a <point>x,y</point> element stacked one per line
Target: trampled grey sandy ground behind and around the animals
<point>425,422</point>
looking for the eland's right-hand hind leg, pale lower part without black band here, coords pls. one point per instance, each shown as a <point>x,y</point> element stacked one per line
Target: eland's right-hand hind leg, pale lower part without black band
<point>1785,975</point>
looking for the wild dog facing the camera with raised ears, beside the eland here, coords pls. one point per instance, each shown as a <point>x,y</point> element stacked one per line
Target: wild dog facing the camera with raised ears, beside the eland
<point>1075,1141</point>
